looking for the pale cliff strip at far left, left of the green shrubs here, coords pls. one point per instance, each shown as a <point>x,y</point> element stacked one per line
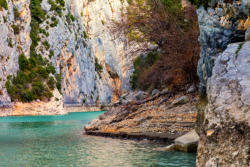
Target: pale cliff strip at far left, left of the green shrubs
<point>11,44</point>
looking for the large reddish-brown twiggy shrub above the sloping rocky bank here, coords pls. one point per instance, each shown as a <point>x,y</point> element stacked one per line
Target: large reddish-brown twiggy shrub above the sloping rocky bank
<point>173,32</point>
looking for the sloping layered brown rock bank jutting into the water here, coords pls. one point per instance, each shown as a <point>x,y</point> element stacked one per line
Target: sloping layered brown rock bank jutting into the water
<point>162,117</point>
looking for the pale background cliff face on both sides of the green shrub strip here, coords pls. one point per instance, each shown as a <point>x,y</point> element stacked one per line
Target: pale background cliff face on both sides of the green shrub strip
<point>76,38</point>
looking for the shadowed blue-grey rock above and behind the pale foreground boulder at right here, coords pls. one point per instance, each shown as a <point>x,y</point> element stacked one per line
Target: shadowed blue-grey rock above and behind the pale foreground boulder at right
<point>222,23</point>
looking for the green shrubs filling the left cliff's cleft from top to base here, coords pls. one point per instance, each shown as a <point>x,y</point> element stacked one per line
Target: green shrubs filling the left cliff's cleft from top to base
<point>35,79</point>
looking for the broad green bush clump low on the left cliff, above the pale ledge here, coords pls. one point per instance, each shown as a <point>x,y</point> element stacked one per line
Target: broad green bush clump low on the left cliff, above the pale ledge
<point>32,81</point>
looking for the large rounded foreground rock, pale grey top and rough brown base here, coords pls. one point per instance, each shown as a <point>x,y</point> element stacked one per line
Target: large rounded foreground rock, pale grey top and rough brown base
<point>225,129</point>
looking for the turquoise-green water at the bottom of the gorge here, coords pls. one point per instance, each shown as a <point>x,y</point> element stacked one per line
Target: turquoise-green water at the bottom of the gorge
<point>41,141</point>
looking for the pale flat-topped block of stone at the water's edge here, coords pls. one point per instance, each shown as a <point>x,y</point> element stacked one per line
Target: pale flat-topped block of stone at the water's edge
<point>187,142</point>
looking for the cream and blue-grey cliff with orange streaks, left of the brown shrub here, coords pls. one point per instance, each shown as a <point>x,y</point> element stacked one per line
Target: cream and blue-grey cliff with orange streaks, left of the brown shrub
<point>83,83</point>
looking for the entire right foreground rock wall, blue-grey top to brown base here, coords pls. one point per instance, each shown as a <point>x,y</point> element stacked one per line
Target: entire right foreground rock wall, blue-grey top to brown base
<point>224,72</point>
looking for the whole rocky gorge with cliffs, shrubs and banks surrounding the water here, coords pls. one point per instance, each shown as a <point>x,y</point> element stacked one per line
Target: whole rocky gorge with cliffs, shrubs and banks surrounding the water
<point>160,68</point>
